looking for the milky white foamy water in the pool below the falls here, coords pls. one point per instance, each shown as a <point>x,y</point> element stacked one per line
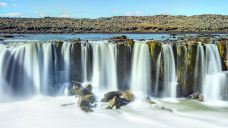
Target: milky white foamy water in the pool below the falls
<point>46,112</point>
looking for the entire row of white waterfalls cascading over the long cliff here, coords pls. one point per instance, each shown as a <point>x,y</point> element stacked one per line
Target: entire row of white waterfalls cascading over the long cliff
<point>46,68</point>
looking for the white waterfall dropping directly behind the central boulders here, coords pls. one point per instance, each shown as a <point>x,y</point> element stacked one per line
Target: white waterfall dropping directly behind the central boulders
<point>104,75</point>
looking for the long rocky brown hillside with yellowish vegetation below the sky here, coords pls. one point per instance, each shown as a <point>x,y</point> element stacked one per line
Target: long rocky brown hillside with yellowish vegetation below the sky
<point>117,24</point>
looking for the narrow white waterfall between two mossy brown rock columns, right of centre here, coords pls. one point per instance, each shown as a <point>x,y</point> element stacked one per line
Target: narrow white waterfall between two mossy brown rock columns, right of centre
<point>169,82</point>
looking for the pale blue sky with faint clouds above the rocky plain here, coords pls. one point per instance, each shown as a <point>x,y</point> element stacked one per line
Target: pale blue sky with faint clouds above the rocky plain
<point>108,8</point>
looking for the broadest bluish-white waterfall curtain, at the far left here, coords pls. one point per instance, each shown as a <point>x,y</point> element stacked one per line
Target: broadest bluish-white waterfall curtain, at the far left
<point>31,68</point>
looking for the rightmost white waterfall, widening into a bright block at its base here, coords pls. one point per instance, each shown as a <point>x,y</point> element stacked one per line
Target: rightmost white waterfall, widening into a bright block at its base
<point>215,80</point>
